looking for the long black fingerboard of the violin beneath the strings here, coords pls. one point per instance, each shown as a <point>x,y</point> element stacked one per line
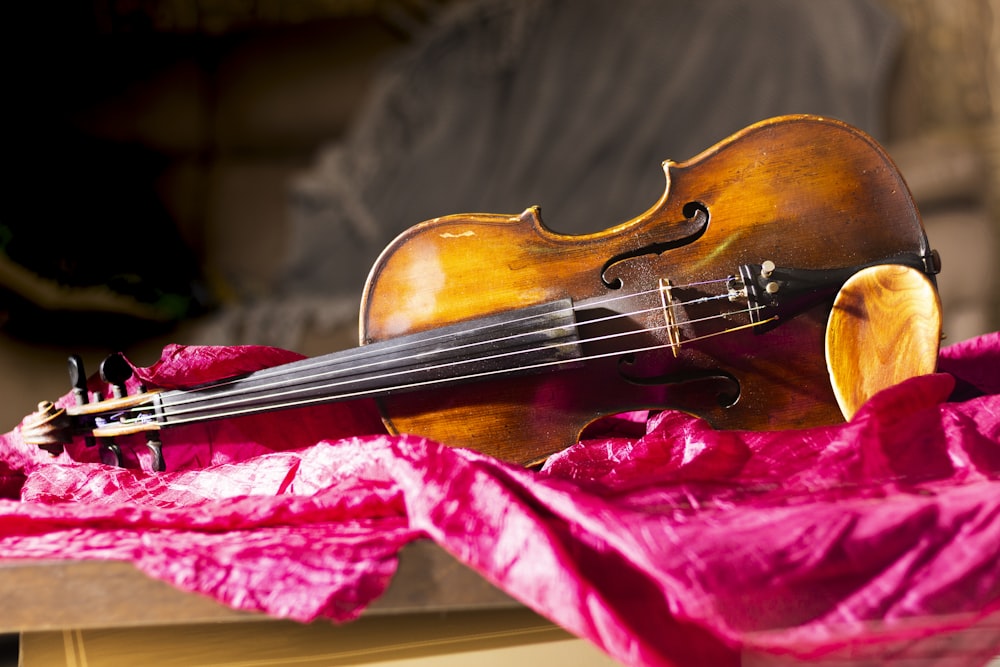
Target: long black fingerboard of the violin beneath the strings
<point>520,341</point>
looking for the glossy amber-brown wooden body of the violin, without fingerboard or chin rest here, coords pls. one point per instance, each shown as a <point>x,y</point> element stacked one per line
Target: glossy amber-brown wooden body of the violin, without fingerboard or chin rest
<point>799,191</point>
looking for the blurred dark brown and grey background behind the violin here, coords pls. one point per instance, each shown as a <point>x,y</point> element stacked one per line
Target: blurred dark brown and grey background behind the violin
<point>226,171</point>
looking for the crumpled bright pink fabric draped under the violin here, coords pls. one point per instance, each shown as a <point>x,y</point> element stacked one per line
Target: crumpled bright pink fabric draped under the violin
<point>659,539</point>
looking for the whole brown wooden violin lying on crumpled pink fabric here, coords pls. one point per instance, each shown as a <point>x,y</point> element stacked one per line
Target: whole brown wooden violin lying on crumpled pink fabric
<point>495,333</point>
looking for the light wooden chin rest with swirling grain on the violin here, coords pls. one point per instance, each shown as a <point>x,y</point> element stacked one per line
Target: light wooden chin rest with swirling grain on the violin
<point>885,327</point>
